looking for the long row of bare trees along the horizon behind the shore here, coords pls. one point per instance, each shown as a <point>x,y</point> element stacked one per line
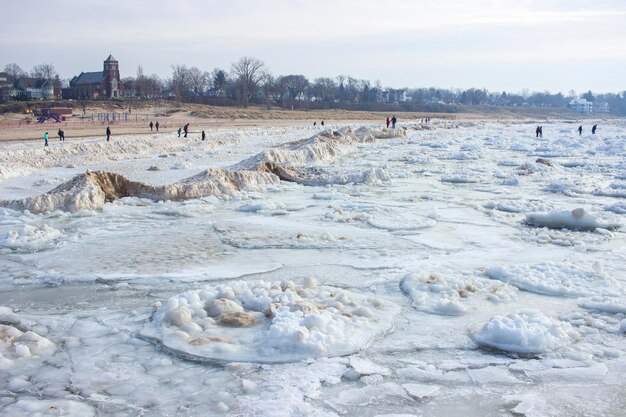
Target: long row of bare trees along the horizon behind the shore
<point>250,81</point>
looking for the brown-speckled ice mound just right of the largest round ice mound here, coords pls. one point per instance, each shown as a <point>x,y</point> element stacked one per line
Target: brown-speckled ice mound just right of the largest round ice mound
<point>452,296</point>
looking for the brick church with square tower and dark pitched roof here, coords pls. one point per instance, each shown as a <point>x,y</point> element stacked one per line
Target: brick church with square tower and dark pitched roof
<point>104,84</point>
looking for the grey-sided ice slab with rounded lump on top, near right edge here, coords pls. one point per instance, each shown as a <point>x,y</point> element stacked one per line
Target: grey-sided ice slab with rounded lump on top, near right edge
<point>577,219</point>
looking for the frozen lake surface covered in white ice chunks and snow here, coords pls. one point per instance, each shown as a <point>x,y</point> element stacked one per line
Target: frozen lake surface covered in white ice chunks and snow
<point>458,268</point>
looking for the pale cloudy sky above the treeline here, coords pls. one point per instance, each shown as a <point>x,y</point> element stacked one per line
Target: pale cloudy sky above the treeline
<point>500,45</point>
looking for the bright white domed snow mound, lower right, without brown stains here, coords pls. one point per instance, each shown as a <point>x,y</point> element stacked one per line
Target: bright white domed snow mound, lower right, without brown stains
<point>527,331</point>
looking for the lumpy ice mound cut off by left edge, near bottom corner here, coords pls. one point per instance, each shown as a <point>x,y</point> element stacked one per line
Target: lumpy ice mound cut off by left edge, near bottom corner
<point>16,344</point>
